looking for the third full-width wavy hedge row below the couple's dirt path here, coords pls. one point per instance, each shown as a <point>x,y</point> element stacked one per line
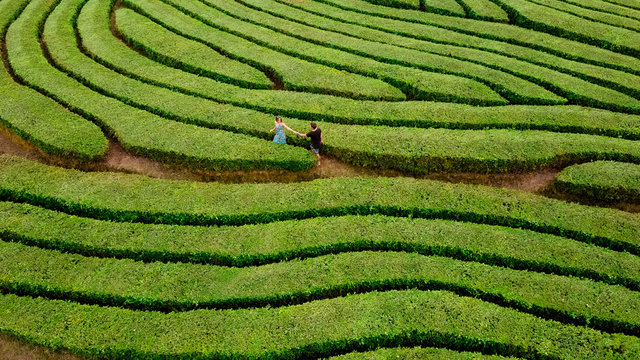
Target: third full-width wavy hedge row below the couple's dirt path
<point>181,287</point>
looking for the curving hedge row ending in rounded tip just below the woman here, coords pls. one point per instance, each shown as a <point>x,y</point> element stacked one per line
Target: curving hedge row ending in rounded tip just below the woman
<point>168,141</point>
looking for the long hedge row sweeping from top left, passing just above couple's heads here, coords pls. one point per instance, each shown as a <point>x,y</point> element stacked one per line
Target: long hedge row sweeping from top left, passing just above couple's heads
<point>104,47</point>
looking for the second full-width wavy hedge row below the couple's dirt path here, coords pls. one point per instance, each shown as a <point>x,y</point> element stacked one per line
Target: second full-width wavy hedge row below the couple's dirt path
<point>267,243</point>
